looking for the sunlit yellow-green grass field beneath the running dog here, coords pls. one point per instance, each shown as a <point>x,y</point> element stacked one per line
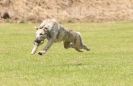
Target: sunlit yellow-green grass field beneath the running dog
<point>109,63</point>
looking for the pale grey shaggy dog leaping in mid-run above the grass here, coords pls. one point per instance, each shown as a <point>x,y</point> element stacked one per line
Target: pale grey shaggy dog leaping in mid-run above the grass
<point>54,32</point>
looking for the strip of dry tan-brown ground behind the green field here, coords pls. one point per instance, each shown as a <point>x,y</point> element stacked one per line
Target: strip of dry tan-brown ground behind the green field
<point>66,10</point>
